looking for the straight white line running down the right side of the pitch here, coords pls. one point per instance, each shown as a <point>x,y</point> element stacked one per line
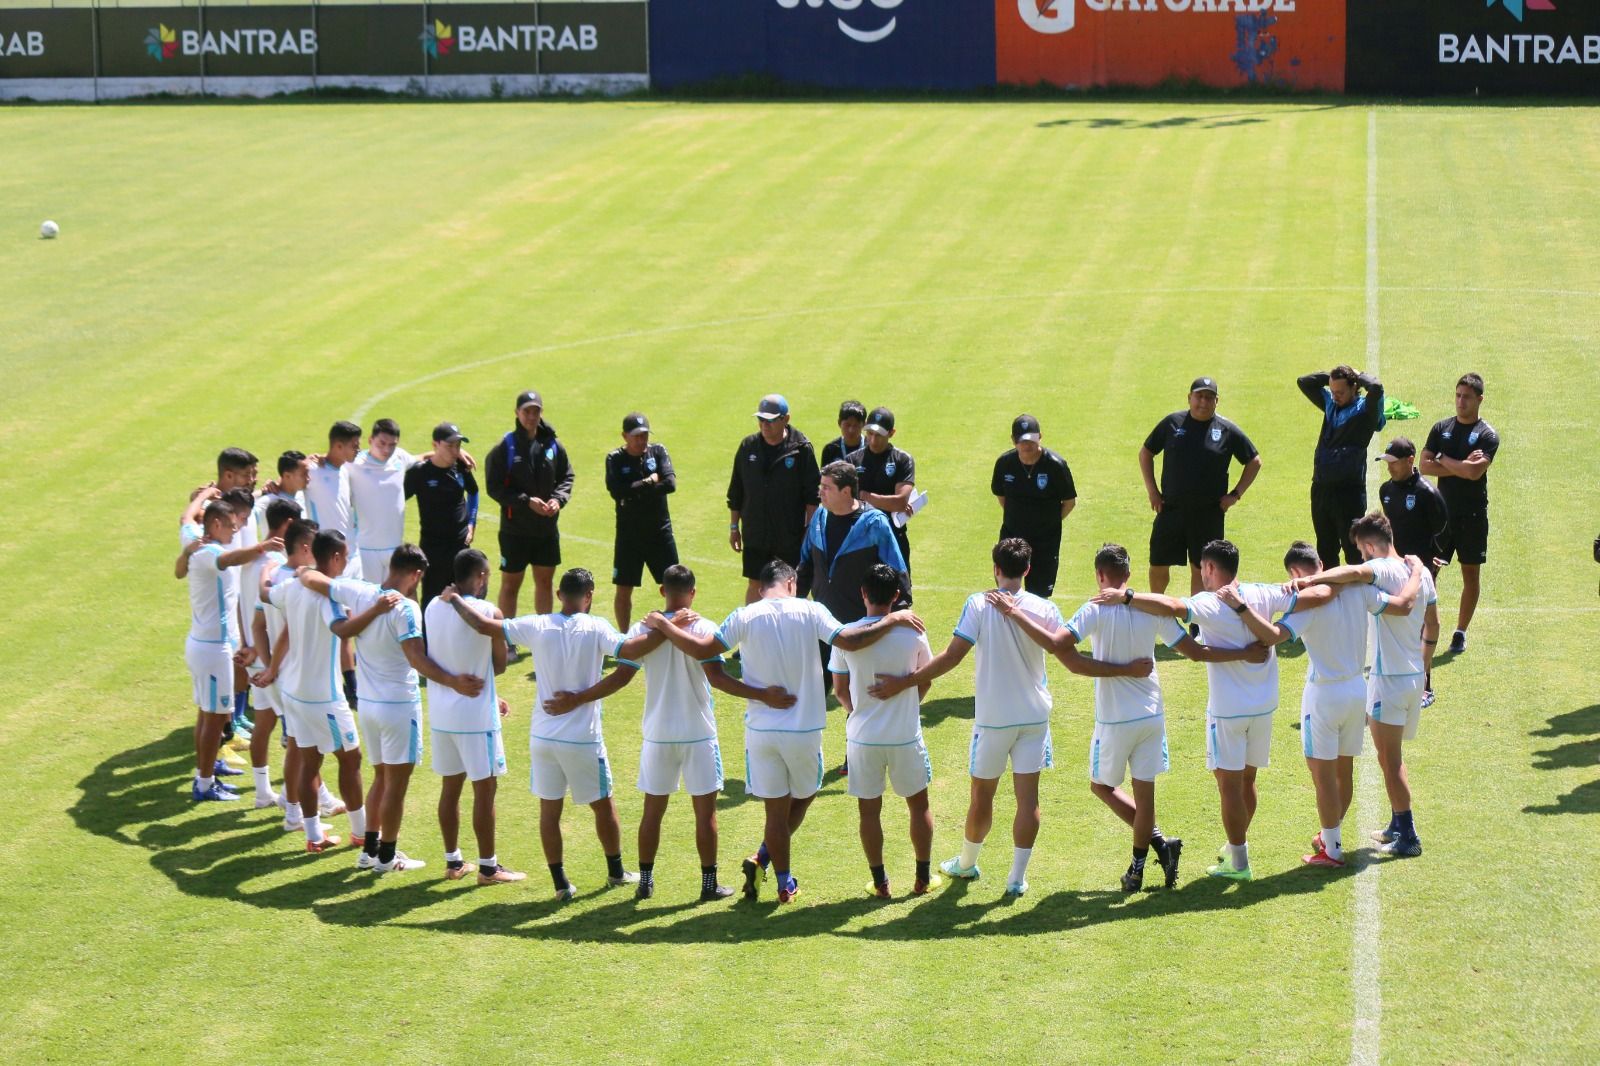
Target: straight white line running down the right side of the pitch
<point>1369,801</point>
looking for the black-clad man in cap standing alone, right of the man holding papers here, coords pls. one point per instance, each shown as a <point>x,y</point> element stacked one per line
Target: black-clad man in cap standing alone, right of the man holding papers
<point>1036,492</point>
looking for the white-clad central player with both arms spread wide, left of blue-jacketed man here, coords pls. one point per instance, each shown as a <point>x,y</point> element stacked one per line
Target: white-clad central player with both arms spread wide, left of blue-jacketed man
<point>783,750</point>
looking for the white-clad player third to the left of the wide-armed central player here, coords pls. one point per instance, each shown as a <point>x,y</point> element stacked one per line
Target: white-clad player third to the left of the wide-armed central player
<point>466,731</point>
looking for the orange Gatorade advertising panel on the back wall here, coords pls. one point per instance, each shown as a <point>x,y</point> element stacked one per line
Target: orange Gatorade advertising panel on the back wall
<point>1225,44</point>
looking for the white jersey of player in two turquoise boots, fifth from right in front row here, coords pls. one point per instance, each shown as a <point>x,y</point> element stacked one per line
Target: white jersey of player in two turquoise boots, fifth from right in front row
<point>1010,687</point>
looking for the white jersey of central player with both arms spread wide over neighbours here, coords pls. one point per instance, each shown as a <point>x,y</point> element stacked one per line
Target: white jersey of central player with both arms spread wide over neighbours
<point>778,639</point>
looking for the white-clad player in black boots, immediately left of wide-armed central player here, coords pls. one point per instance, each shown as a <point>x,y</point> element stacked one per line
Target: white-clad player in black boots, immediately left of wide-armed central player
<point>681,735</point>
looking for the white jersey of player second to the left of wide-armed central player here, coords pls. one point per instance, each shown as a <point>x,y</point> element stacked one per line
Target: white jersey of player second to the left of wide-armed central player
<point>569,654</point>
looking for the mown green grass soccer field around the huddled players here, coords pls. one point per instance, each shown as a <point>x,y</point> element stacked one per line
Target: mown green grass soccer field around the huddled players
<point>249,275</point>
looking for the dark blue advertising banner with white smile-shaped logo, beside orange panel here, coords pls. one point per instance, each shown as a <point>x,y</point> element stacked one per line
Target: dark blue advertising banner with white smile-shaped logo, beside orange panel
<point>838,44</point>
